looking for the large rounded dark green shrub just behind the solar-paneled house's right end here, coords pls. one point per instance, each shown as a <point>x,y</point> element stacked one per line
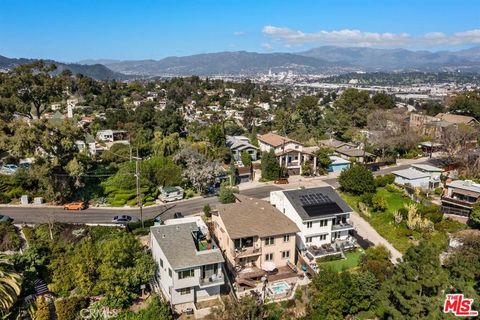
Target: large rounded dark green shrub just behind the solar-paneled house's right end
<point>357,180</point>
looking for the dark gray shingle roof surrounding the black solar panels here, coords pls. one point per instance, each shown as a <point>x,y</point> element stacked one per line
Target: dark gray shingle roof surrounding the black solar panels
<point>294,196</point>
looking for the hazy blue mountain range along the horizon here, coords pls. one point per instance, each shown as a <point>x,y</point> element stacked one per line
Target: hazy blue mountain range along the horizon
<point>321,60</point>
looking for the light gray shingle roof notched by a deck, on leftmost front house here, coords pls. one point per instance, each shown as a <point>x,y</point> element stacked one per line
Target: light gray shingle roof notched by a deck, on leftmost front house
<point>176,242</point>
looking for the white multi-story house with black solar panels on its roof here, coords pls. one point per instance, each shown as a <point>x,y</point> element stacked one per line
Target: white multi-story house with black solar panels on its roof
<point>322,217</point>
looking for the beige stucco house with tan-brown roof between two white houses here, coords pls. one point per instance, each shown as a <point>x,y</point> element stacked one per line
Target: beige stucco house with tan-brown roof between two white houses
<point>254,237</point>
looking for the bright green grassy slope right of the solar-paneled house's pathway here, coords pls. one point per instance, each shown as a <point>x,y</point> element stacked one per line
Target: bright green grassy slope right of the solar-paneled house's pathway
<point>397,234</point>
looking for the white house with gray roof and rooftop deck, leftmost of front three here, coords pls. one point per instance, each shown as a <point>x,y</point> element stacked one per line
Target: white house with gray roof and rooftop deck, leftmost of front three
<point>190,264</point>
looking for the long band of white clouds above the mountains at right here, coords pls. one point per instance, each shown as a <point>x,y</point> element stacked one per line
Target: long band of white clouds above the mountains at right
<point>353,37</point>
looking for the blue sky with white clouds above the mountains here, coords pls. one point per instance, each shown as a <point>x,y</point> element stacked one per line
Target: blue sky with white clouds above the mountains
<point>68,30</point>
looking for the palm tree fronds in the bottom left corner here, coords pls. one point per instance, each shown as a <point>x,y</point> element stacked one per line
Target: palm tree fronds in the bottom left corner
<point>10,286</point>
